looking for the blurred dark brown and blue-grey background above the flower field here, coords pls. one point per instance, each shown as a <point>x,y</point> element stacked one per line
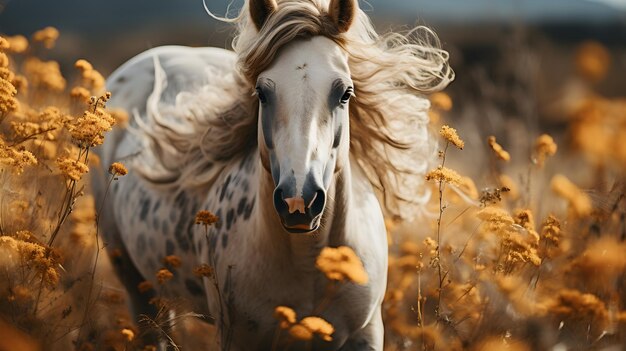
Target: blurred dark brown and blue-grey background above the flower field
<point>521,47</point>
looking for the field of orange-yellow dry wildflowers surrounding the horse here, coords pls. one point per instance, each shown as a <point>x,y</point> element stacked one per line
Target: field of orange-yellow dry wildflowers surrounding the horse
<point>534,258</point>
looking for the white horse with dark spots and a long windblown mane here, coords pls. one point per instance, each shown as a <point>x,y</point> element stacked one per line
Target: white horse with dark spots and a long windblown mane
<point>290,140</point>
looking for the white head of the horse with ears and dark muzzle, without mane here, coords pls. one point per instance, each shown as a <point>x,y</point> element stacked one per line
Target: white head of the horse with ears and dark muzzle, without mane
<point>303,116</point>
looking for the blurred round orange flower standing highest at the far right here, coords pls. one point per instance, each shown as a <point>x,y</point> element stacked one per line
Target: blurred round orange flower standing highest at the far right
<point>592,61</point>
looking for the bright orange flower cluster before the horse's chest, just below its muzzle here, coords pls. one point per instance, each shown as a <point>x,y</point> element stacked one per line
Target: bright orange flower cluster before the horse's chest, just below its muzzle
<point>341,264</point>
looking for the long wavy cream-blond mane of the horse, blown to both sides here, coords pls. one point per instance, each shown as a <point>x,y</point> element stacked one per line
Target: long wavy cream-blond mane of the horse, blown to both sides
<point>389,135</point>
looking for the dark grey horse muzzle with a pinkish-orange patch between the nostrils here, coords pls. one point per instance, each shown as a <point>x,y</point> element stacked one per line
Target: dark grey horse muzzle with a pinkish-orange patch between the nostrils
<point>300,214</point>
